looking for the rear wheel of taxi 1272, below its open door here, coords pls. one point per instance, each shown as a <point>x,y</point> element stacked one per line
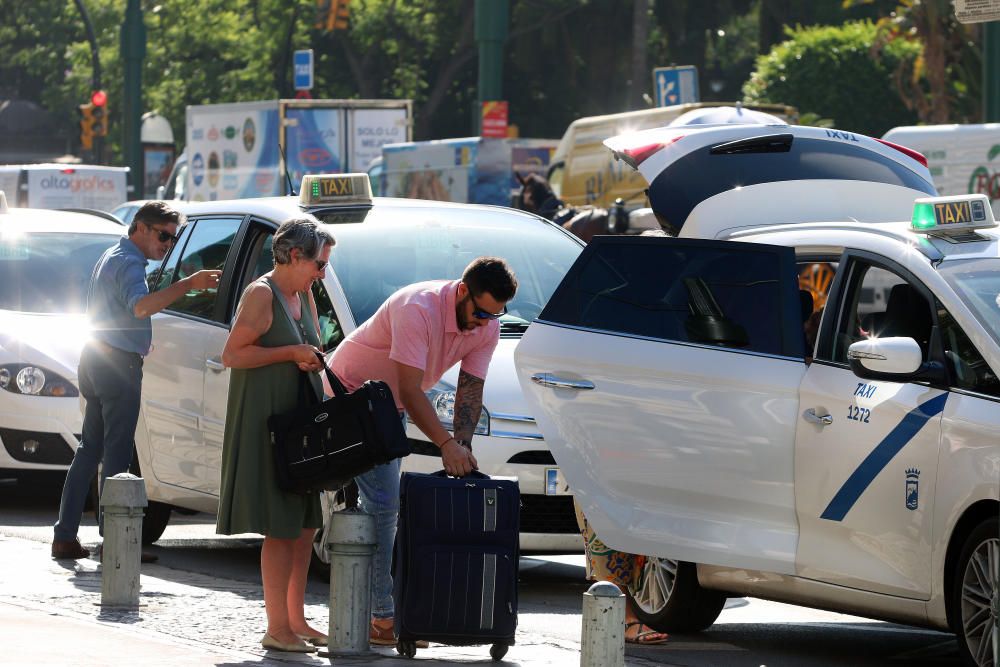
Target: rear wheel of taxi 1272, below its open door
<point>667,597</point>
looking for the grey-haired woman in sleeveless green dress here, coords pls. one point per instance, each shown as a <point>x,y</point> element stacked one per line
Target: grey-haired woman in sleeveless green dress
<point>266,353</point>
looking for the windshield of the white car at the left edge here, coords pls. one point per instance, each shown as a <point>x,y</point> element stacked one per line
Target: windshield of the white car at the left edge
<point>49,273</point>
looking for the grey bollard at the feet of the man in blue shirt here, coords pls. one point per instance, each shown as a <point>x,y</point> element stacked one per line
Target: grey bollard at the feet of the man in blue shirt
<point>122,500</point>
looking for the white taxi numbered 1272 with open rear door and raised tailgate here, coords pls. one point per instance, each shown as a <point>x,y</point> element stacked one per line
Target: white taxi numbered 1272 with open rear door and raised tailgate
<point>704,419</point>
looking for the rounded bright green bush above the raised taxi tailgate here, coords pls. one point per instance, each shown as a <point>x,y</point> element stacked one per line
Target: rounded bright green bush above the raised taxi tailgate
<point>830,71</point>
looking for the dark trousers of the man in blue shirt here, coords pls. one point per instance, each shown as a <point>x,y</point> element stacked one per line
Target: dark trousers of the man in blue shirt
<point>110,382</point>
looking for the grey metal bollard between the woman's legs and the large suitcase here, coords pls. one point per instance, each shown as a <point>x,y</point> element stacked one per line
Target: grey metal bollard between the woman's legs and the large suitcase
<point>351,545</point>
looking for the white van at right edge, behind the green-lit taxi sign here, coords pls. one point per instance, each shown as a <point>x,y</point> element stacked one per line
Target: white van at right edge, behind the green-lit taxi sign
<point>963,159</point>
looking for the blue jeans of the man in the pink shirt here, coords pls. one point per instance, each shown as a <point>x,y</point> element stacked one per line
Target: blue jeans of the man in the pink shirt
<point>379,496</point>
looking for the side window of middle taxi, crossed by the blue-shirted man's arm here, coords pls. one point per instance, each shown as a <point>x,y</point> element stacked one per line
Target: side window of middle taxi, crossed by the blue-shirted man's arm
<point>206,247</point>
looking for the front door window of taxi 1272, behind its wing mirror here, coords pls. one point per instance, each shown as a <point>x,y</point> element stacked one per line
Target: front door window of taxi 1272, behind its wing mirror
<point>879,303</point>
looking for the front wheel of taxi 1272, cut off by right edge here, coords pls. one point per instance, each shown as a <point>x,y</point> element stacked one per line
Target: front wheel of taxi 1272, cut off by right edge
<point>975,591</point>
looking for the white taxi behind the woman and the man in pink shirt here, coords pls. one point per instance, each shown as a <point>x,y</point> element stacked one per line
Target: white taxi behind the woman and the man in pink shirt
<point>382,244</point>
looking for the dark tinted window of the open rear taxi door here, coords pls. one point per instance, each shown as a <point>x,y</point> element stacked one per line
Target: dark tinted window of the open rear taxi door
<point>735,295</point>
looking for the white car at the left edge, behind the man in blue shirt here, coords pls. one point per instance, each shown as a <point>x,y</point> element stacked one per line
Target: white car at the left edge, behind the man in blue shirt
<point>46,258</point>
